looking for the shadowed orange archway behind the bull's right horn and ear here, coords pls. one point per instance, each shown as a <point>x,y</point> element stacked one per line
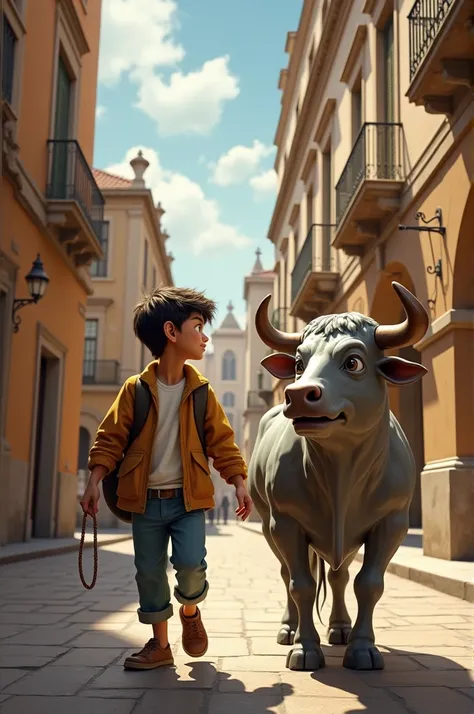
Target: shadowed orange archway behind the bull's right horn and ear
<point>405,402</point>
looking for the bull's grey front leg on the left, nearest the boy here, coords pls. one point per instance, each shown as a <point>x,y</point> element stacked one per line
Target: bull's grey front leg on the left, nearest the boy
<point>306,654</point>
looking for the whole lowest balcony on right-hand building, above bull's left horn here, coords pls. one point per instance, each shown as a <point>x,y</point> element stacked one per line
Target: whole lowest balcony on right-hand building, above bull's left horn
<point>314,280</point>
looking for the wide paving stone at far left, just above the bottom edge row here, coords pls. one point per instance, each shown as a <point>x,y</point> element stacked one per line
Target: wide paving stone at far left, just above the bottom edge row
<point>53,681</point>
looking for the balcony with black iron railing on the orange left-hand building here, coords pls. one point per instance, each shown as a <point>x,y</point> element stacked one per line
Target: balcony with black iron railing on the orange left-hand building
<point>75,205</point>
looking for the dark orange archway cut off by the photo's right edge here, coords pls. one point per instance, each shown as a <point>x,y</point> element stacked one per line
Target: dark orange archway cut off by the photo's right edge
<point>463,283</point>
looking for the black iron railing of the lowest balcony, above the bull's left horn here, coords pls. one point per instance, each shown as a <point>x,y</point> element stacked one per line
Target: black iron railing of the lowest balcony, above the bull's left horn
<point>310,259</point>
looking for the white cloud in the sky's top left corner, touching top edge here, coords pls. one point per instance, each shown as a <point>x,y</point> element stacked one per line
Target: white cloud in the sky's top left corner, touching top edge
<point>136,35</point>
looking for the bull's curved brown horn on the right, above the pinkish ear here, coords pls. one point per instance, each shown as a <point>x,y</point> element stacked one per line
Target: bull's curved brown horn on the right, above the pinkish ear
<point>408,332</point>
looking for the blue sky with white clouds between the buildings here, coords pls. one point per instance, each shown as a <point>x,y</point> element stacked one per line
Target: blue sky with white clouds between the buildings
<point>193,84</point>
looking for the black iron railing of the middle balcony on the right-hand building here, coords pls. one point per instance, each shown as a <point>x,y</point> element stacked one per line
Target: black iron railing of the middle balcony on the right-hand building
<point>377,154</point>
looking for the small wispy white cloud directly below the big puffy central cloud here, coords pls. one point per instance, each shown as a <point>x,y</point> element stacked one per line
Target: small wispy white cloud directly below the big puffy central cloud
<point>239,163</point>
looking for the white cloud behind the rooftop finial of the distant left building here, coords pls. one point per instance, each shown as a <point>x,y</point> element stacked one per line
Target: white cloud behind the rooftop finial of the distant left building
<point>192,219</point>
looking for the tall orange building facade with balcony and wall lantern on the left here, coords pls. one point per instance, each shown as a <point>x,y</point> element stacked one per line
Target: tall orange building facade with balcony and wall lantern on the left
<point>51,207</point>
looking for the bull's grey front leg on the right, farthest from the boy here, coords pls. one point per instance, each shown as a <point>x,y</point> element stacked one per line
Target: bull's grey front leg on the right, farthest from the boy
<point>380,546</point>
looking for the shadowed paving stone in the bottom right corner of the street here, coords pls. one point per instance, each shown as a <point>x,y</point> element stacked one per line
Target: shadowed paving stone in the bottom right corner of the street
<point>434,700</point>
